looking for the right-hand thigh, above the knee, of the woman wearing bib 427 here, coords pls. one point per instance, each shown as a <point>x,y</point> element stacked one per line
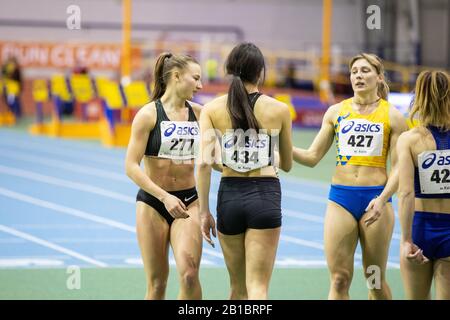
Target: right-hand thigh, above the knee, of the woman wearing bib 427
<point>376,238</point>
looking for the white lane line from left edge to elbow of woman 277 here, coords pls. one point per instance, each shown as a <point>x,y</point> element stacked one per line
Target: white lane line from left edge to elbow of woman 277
<point>65,165</point>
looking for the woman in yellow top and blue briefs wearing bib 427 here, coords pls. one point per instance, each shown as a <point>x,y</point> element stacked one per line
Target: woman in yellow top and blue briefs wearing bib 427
<point>365,129</point>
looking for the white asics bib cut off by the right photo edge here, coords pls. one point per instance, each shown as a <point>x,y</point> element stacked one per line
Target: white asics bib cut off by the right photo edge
<point>434,171</point>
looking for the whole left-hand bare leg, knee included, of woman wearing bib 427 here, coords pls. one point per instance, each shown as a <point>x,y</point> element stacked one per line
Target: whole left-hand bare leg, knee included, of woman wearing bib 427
<point>340,240</point>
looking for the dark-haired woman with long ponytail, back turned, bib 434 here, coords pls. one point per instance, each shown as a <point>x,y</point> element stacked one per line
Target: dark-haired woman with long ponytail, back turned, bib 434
<point>249,199</point>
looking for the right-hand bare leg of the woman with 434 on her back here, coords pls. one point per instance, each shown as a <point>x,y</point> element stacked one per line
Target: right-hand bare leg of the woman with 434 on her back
<point>260,251</point>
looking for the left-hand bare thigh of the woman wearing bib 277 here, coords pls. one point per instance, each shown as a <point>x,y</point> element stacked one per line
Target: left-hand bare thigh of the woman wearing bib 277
<point>153,237</point>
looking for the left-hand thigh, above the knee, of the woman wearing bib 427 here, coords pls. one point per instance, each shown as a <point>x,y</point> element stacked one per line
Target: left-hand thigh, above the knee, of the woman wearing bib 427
<point>340,238</point>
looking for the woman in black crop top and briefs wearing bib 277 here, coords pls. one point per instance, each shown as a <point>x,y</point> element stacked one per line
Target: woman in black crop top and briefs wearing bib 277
<point>165,135</point>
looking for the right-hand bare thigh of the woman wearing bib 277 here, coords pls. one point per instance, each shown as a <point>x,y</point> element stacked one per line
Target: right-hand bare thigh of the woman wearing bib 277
<point>186,239</point>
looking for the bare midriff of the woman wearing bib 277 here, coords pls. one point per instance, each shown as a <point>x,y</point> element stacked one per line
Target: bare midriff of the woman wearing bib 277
<point>170,175</point>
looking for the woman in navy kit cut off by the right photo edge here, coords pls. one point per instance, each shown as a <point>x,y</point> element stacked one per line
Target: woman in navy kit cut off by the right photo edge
<point>424,191</point>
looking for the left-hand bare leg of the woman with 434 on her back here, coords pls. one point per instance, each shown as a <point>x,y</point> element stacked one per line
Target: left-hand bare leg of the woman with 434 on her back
<point>234,253</point>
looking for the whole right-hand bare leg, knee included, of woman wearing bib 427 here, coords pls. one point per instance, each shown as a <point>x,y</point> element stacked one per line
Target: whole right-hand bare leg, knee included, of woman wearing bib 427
<point>375,241</point>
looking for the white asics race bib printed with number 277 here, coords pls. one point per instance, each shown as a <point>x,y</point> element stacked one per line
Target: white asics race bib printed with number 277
<point>179,140</point>
